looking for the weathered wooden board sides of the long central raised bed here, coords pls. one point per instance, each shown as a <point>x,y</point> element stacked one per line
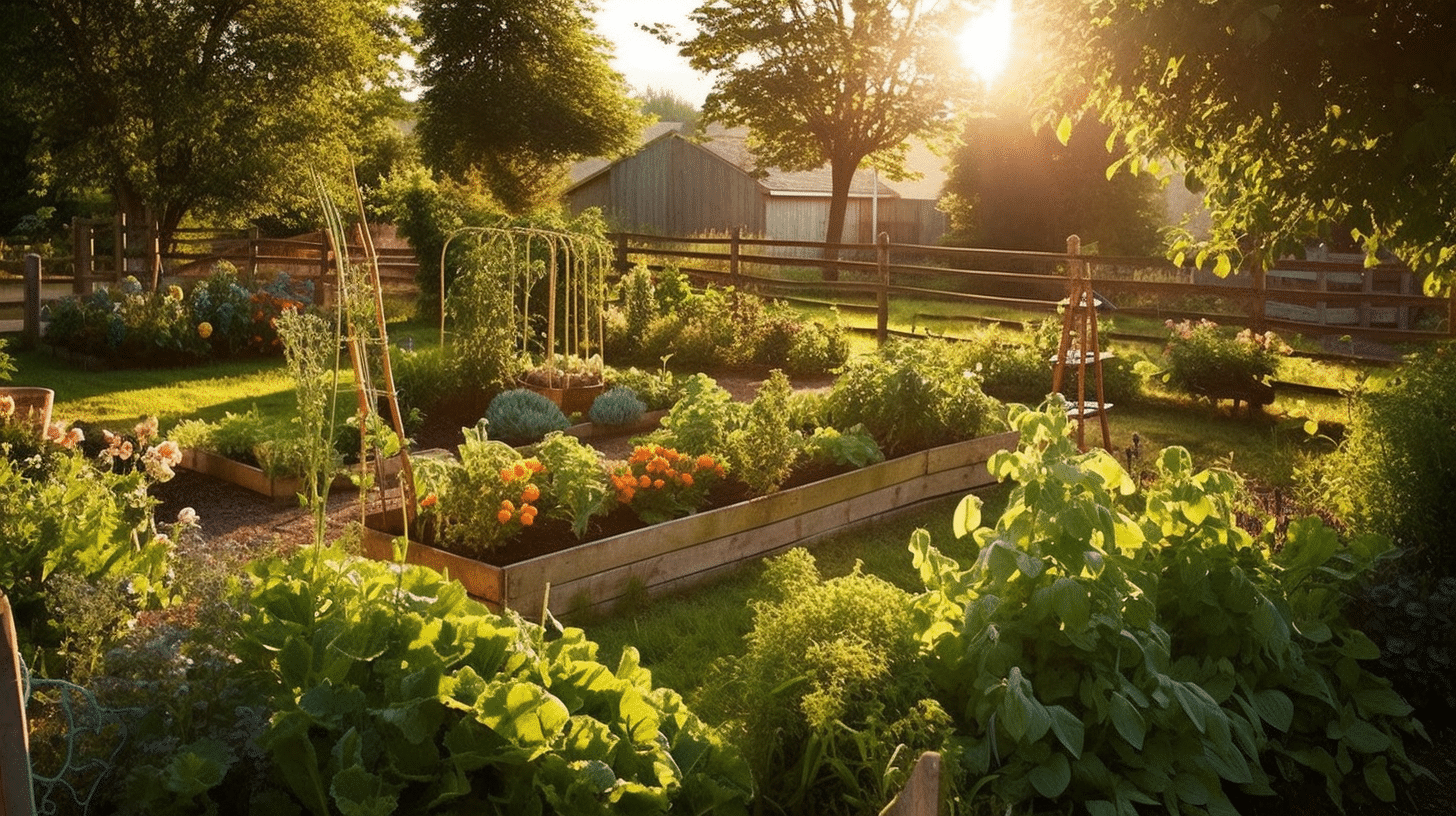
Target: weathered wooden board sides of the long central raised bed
<point>688,552</point>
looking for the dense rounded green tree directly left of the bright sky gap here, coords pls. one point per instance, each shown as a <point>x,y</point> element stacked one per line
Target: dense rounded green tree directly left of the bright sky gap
<point>518,90</point>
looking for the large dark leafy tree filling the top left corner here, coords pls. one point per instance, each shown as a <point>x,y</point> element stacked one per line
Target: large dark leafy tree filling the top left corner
<point>180,107</point>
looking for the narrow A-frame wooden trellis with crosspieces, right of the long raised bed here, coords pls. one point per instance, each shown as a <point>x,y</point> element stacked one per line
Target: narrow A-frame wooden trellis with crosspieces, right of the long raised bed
<point>1081,348</point>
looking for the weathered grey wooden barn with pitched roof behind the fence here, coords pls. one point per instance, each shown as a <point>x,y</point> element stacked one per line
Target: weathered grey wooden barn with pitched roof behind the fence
<point>685,184</point>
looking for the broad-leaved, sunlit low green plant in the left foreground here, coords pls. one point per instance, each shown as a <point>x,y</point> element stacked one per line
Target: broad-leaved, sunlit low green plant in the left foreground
<point>385,690</point>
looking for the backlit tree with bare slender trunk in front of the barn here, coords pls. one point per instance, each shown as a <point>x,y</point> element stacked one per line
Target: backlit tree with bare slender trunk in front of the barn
<point>828,81</point>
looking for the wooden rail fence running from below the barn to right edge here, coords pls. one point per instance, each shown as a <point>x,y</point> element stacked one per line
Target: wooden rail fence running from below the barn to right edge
<point>1382,304</point>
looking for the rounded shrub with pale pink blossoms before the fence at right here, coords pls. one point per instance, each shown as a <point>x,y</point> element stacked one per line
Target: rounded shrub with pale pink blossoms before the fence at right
<point>1202,361</point>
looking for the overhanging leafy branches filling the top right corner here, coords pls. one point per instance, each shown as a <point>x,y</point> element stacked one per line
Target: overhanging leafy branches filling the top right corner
<point>1297,117</point>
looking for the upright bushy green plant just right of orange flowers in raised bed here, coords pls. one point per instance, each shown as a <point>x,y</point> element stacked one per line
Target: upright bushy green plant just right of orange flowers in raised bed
<point>764,451</point>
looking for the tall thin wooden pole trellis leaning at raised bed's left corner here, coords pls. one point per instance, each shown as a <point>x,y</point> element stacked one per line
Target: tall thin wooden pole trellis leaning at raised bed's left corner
<point>368,339</point>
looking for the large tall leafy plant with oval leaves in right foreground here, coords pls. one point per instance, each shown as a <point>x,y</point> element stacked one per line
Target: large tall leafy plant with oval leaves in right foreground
<point>1122,652</point>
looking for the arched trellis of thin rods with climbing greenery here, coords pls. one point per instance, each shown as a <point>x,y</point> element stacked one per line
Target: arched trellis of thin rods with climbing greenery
<point>576,269</point>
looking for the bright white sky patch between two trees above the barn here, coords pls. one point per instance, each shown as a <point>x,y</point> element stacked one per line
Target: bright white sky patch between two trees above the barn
<point>640,58</point>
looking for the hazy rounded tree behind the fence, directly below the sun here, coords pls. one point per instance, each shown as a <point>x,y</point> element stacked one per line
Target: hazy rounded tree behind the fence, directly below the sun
<point>1013,187</point>
